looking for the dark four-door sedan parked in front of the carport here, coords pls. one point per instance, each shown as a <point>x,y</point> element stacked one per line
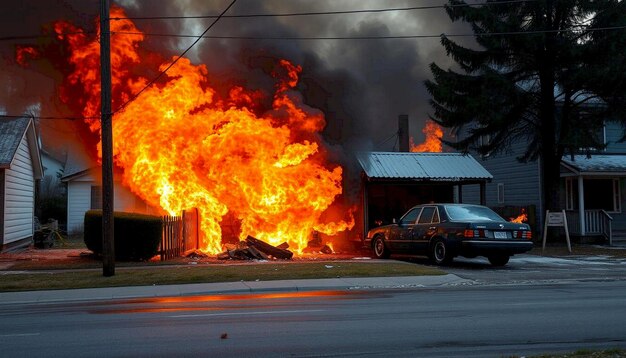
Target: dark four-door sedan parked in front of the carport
<point>443,231</point>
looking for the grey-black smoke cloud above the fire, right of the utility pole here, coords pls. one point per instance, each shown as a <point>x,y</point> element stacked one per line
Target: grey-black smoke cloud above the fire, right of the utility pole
<point>361,85</point>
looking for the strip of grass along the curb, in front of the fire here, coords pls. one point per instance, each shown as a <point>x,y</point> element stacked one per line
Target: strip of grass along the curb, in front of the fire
<point>163,275</point>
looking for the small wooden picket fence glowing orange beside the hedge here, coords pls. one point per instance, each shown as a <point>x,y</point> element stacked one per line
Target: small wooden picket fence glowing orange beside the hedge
<point>180,235</point>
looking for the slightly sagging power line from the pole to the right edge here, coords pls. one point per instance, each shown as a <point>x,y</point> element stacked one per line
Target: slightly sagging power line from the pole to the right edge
<point>392,37</point>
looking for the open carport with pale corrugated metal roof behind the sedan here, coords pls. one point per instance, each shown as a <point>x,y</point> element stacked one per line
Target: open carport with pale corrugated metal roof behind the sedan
<point>393,182</point>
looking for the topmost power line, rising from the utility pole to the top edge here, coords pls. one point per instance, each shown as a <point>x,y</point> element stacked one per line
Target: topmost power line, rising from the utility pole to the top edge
<point>316,13</point>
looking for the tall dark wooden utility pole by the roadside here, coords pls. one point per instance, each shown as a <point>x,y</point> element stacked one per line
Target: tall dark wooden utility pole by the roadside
<point>106,128</point>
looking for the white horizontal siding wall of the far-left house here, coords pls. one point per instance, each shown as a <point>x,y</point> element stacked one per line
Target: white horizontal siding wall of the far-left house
<point>19,198</point>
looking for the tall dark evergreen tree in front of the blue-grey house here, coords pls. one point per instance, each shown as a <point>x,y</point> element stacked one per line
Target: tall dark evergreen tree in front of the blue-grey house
<point>548,72</point>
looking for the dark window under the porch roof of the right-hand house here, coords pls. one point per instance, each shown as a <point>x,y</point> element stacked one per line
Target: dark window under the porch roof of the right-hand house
<point>602,194</point>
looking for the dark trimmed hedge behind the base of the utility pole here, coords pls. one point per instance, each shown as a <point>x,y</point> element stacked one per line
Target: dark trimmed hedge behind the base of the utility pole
<point>137,236</point>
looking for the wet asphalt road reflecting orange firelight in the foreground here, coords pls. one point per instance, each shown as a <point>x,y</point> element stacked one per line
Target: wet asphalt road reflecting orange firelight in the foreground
<point>466,321</point>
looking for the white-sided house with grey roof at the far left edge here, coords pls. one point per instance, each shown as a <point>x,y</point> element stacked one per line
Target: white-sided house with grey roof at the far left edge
<point>20,168</point>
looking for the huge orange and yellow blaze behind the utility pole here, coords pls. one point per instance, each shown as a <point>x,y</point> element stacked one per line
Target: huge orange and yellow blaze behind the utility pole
<point>182,147</point>
